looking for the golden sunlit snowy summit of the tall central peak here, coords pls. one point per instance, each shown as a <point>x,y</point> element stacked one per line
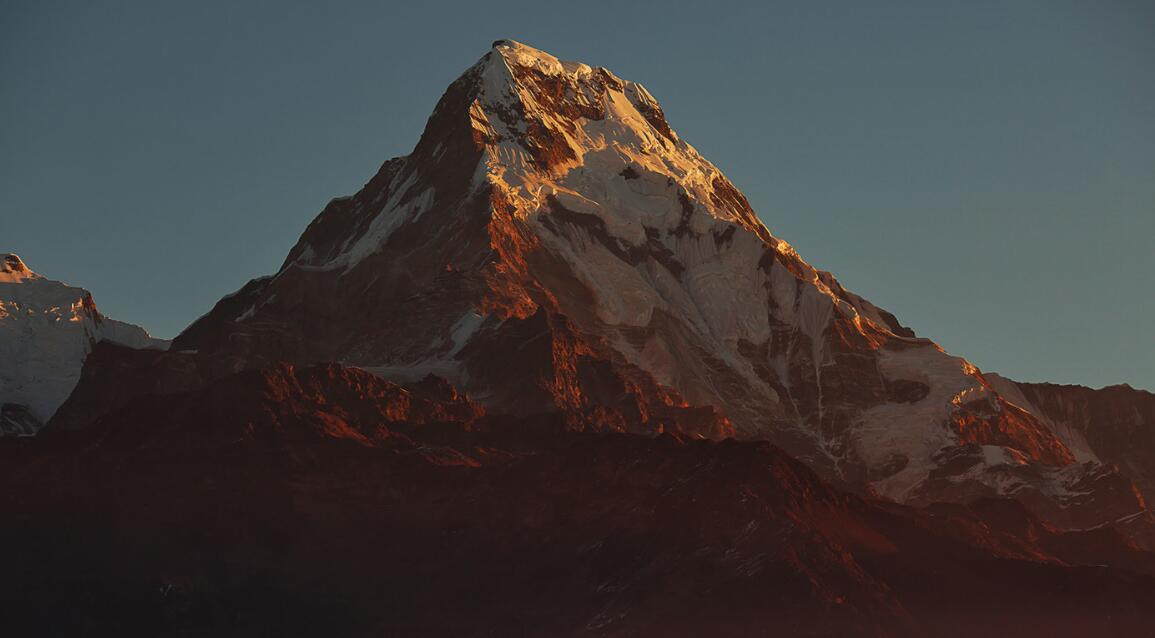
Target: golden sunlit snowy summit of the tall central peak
<point>553,127</point>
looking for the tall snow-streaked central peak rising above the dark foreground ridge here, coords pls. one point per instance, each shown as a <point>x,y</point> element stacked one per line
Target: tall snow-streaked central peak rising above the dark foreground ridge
<point>553,246</point>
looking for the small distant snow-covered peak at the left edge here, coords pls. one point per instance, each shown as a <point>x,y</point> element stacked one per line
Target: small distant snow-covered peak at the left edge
<point>47,331</point>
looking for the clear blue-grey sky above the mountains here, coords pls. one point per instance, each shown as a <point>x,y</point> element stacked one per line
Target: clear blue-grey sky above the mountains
<point>985,170</point>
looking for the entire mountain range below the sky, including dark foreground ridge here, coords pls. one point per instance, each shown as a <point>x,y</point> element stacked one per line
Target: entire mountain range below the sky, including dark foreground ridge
<point>549,375</point>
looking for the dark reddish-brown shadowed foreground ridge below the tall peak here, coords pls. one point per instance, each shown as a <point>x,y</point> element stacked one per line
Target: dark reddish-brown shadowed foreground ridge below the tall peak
<point>307,500</point>
